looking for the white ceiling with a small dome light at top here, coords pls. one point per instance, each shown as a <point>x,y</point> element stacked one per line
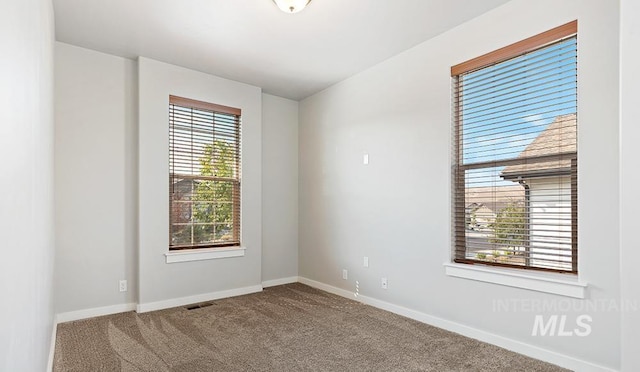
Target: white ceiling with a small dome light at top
<point>252,41</point>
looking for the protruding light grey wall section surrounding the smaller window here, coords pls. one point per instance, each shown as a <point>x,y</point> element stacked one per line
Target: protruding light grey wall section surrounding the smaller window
<point>160,282</point>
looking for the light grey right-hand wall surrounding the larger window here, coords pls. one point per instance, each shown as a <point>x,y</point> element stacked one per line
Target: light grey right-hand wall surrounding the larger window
<point>396,209</point>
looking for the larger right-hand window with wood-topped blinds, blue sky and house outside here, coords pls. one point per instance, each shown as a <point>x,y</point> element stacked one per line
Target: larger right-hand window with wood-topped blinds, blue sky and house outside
<point>515,159</point>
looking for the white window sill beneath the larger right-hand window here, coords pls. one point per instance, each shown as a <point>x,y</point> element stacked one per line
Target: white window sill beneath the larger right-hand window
<point>560,284</point>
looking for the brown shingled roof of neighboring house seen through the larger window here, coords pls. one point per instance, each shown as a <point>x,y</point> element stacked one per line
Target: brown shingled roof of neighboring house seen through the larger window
<point>558,138</point>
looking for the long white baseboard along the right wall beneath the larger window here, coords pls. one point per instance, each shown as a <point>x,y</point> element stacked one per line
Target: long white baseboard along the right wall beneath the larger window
<point>504,342</point>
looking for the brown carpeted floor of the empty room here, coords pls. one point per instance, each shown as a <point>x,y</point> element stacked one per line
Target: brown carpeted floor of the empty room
<point>286,328</point>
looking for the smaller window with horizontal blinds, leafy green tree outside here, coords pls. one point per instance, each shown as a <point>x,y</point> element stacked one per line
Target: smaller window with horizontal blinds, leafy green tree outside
<point>204,174</point>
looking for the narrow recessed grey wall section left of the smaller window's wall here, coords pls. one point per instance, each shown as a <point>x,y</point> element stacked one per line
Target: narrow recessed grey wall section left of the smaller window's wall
<point>96,178</point>
